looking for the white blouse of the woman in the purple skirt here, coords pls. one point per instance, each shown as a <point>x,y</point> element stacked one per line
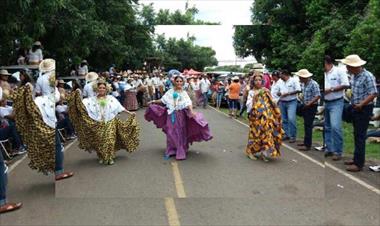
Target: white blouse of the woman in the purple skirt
<point>183,101</point>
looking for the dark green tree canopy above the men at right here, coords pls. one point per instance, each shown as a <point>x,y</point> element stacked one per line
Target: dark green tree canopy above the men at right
<point>296,34</point>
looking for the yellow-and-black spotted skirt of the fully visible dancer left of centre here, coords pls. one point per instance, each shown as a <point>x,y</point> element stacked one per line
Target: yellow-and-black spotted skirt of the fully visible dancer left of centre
<point>105,138</point>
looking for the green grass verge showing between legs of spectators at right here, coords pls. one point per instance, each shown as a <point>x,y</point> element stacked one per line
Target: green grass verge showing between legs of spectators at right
<point>372,149</point>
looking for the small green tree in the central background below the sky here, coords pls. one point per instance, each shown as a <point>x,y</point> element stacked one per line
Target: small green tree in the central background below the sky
<point>181,54</point>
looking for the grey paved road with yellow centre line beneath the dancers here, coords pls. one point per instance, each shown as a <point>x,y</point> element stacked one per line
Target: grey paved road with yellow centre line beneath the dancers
<point>216,185</point>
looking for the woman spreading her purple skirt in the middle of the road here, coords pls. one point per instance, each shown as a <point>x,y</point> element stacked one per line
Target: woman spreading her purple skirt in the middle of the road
<point>177,119</point>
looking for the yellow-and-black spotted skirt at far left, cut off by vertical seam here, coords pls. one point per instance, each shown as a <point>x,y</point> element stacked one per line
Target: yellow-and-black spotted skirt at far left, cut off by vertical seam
<point>39,137</point>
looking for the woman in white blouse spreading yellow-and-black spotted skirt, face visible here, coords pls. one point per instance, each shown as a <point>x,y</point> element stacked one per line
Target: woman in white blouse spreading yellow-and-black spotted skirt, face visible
<point>97,126</point>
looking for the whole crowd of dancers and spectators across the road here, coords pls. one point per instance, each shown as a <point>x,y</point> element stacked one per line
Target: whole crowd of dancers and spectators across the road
<point>56,111</point>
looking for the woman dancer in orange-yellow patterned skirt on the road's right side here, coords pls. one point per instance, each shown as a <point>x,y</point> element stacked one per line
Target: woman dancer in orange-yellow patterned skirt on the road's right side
<point>265,132</point>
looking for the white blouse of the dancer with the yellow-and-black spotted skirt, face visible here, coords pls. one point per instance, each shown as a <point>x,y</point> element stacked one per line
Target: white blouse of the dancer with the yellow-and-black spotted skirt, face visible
<point>98,113</point>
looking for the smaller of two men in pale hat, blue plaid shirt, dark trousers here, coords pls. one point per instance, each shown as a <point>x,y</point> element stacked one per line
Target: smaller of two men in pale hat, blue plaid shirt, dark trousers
<point>311,95</point>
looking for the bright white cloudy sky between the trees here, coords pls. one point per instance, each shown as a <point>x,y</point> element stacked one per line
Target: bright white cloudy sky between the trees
<point>218,37</point>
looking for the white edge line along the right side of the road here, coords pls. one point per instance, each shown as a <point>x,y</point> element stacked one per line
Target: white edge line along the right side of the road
<point>357,180</point>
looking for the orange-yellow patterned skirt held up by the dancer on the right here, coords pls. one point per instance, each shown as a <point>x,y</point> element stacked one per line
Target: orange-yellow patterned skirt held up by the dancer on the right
<point>265,131</point>
